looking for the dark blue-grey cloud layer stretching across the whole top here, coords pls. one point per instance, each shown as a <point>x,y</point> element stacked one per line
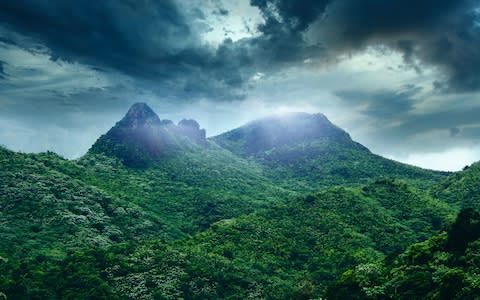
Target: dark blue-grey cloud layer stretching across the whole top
<point>157,40</point>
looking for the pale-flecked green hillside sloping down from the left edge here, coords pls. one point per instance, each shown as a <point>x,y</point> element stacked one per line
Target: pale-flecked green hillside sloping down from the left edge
<point>48,212</point>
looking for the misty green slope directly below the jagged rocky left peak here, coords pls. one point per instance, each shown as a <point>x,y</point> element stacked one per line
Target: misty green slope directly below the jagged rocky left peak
<point>189,190</point>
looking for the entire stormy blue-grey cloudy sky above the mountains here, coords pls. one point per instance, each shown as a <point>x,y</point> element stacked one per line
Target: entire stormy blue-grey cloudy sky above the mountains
<point>402,77</point>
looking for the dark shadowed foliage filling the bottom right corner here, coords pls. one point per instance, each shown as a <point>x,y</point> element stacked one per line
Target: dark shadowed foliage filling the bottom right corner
<point>446,266</point>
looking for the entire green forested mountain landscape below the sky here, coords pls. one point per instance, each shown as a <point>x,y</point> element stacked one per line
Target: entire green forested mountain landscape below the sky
<point>285,207</point>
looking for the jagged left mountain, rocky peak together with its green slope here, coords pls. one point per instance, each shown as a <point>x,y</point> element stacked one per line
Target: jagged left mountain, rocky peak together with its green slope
<point>173,172</point>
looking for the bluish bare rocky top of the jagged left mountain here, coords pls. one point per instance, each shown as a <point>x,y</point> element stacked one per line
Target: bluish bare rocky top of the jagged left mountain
<point>140,137</point>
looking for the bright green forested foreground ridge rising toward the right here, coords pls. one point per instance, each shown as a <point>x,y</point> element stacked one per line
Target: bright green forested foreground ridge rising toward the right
<point>289,251</point>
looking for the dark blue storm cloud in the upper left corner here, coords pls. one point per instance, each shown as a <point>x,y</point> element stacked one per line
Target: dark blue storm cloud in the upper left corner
<point>124,34</point>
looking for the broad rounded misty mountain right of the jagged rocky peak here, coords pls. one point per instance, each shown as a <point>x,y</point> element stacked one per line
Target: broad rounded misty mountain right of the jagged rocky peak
<point>300,150</point>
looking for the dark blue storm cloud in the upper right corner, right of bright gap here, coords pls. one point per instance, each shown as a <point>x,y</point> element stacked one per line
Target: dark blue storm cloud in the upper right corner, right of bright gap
<point>444,33</point>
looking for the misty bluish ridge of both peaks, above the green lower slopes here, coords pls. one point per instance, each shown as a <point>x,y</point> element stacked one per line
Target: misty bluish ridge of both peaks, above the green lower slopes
<point>288,146</point>
